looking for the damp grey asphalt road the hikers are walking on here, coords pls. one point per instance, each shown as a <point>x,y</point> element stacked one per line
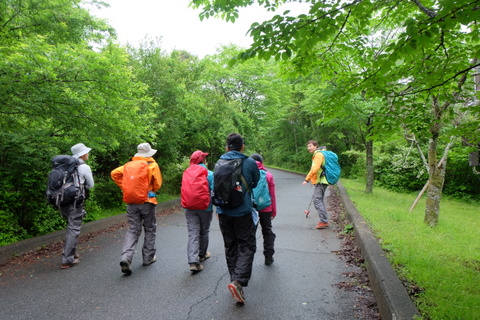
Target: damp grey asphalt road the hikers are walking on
<point>300,284</point>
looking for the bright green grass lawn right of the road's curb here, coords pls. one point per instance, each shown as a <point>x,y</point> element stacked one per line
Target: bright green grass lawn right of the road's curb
<point>443,261</point>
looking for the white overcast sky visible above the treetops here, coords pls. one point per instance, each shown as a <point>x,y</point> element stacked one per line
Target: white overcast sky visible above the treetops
<point>179,26</point>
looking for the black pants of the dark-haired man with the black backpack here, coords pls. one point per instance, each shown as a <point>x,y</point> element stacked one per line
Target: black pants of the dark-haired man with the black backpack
<point>240,246</point>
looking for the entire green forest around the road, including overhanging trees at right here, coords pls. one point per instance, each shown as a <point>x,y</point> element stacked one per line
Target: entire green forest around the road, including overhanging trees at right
<point>396,99</point>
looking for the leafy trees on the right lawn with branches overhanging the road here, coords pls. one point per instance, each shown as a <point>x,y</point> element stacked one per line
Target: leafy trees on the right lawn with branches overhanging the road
<point>417,58</point>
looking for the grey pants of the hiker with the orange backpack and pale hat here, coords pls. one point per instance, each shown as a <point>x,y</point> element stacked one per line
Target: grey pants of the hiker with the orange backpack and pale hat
<point>140,215</point>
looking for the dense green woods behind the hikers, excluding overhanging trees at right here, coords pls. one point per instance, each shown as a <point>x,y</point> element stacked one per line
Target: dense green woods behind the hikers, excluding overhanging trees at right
<point>64,80</point>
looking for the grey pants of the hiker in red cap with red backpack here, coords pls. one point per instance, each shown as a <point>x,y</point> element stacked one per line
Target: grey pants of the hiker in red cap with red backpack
<point>198,225</point>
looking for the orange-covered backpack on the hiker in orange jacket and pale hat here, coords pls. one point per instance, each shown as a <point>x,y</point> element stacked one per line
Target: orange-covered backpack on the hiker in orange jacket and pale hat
<point>135,182</point>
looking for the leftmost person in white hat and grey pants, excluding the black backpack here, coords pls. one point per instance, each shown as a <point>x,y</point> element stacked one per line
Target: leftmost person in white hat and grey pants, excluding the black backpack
<point>75,212</point>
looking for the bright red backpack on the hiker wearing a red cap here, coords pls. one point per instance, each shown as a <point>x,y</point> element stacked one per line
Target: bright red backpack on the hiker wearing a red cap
<point>195,190</point>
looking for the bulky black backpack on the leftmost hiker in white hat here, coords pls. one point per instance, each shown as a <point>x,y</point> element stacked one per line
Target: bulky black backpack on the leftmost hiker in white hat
<point>63,186</point>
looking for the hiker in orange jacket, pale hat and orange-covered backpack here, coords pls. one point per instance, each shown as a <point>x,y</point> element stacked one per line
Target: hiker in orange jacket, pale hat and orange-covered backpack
<point>140,211</point>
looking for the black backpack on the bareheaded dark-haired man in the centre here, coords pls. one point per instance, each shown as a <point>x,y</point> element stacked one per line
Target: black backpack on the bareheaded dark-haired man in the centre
<point>227,183</point>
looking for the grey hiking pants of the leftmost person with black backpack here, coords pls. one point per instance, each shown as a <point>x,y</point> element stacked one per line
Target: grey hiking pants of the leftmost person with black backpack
<point>74,216</point>
